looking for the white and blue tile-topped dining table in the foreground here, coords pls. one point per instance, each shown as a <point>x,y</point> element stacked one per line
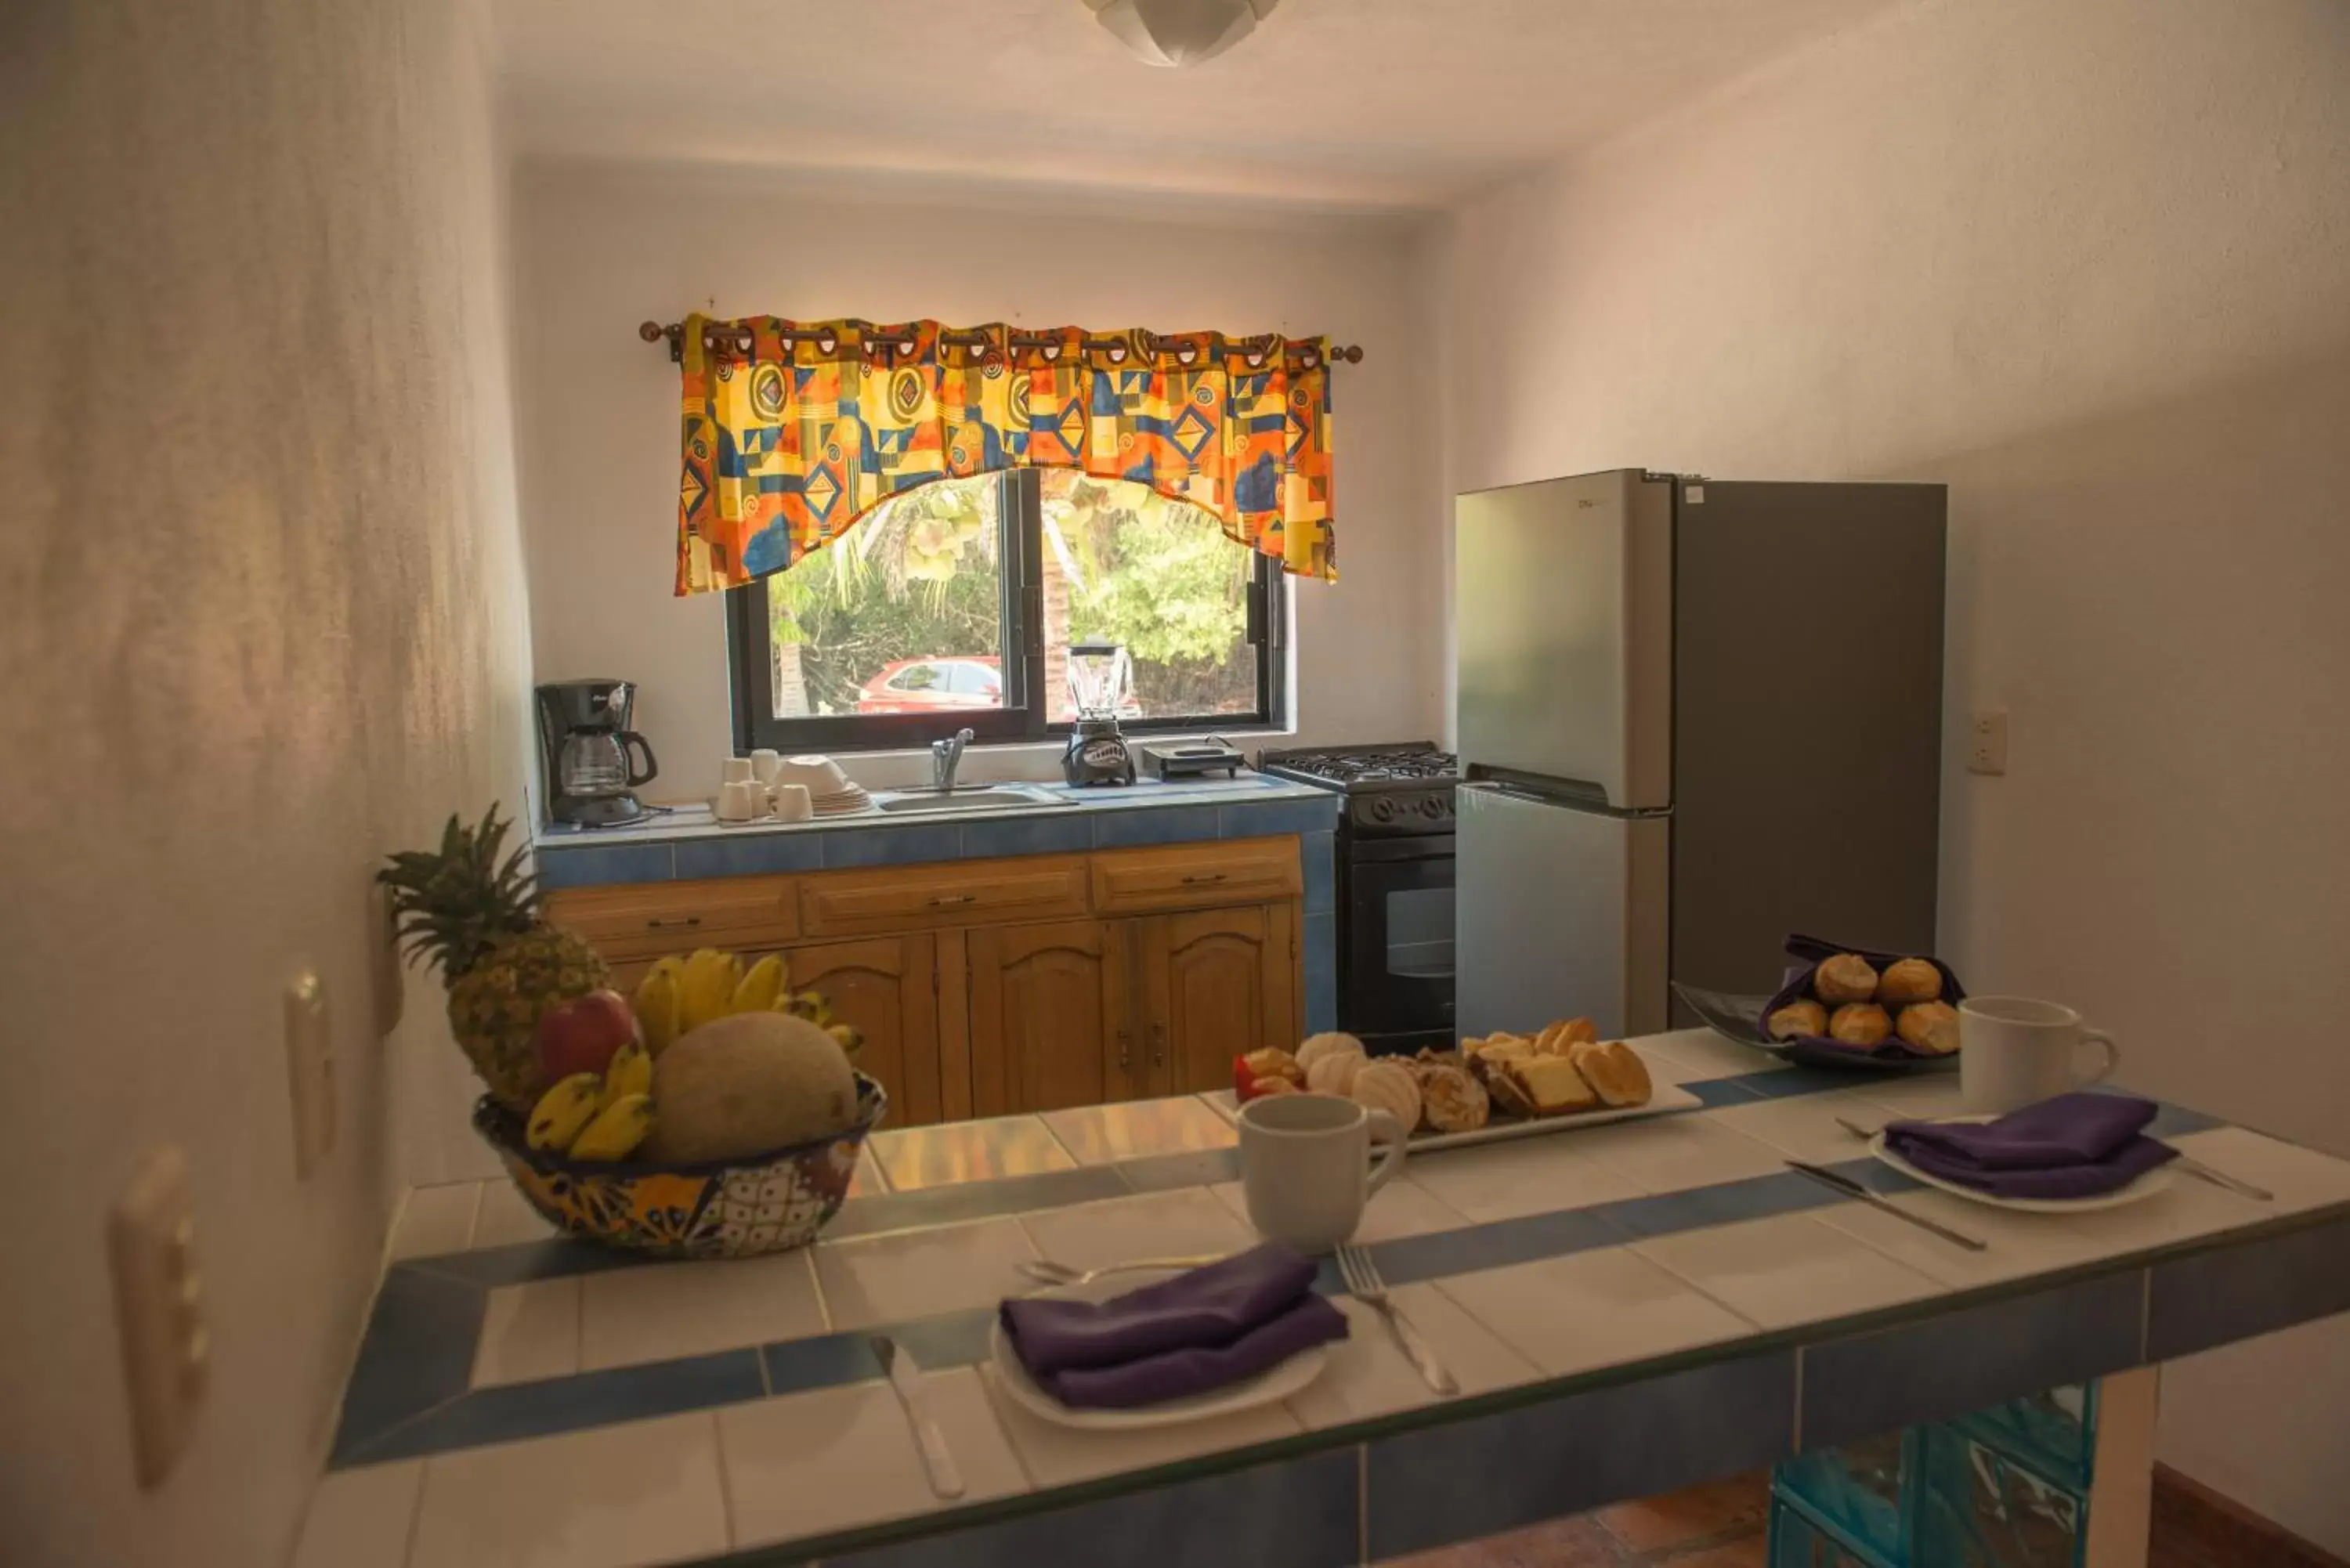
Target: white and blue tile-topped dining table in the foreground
<point>1627,1311</point>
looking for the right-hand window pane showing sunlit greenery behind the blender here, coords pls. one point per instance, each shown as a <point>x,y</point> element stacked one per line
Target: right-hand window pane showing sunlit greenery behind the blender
<point>1127,565</point>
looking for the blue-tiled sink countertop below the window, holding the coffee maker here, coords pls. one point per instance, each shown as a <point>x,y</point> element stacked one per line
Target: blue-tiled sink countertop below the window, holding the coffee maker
<point>687,843</point>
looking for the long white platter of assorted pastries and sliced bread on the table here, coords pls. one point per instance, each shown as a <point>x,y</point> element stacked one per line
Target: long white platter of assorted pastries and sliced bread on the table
<point>1493,1087</point>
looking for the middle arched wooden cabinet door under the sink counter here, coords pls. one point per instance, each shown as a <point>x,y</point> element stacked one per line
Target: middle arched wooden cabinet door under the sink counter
<point>1047,1017</point>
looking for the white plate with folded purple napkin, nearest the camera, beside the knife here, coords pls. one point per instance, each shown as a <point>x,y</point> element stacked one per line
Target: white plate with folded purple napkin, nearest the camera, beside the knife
<point>1181,1336</point>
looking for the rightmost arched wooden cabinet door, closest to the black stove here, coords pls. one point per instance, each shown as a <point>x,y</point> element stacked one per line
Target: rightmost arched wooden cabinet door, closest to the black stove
<point>1221,984</point>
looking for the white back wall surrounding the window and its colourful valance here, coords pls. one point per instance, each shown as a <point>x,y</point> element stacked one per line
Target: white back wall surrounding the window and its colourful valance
<point>600,250</point>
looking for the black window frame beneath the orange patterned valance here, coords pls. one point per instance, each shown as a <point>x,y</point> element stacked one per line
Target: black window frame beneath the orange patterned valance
<point>1023,716</point>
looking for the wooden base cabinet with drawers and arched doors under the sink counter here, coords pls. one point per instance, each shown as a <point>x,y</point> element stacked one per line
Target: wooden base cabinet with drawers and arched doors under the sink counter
<point>1030,984</point>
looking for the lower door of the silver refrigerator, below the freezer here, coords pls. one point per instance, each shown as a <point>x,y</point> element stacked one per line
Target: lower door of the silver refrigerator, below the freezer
<point>1559,913</point>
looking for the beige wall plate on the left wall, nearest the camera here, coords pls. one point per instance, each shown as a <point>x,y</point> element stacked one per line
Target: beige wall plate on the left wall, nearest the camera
<point>161,1311</point>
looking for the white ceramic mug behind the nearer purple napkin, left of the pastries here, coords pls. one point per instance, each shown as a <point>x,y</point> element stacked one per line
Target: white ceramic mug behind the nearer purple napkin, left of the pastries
<point>1305,1167</point>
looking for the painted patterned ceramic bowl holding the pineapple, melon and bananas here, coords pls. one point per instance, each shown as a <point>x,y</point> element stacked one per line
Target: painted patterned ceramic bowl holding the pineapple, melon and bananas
<point>720,1209</point>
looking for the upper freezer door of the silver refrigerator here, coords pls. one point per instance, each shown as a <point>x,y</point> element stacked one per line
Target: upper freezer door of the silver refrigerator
<point>1564,612</point>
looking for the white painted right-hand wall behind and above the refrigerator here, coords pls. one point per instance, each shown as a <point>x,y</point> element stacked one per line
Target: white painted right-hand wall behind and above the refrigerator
<point>2090,264</point>
